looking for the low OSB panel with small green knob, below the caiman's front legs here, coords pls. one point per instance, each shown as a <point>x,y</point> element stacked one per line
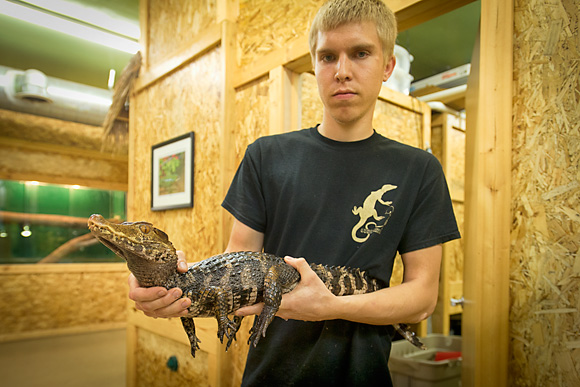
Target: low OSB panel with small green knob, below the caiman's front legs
<point>152,355</point>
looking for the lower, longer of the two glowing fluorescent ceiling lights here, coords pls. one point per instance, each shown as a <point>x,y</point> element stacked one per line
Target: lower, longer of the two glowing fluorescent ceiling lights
<point>68,27</point>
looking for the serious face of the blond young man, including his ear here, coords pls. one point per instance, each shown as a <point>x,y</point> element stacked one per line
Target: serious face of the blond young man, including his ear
<point>350,69</point>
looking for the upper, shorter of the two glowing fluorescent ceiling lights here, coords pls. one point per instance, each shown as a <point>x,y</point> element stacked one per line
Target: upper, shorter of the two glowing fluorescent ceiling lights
<point>89,15</point>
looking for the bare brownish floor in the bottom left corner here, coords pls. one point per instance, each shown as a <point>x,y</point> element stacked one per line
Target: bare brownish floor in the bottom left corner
<point>82,360</point>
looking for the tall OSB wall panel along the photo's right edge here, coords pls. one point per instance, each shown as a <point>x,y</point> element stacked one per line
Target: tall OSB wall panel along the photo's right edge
<point>545,260</point>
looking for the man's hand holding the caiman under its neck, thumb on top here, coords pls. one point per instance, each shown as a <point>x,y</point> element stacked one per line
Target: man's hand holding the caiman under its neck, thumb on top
<point>158,301</point>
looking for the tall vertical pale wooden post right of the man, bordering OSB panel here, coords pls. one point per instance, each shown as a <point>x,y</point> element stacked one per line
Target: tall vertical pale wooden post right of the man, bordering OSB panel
<point>488,200</point>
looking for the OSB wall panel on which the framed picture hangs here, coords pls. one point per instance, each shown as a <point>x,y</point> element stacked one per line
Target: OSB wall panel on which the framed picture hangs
<point>187,100</point>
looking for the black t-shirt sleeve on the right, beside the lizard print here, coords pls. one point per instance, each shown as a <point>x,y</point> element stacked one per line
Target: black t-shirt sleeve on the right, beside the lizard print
<point>432,220</point>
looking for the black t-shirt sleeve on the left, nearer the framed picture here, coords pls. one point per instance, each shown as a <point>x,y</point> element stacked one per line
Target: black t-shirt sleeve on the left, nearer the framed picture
<point>245,198</point>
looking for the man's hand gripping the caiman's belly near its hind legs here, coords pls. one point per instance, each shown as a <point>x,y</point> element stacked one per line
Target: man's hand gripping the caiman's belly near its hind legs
<point>309,301</point>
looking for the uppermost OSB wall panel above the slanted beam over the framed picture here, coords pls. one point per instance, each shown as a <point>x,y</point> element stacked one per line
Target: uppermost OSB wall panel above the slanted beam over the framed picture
<point>173,24</point>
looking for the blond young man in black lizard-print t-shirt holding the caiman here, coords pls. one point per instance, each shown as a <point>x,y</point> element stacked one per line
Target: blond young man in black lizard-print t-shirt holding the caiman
<point>337,194</point>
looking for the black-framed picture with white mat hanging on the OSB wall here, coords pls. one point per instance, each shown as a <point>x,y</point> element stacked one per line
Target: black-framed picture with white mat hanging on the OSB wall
<point>172,173</point>
